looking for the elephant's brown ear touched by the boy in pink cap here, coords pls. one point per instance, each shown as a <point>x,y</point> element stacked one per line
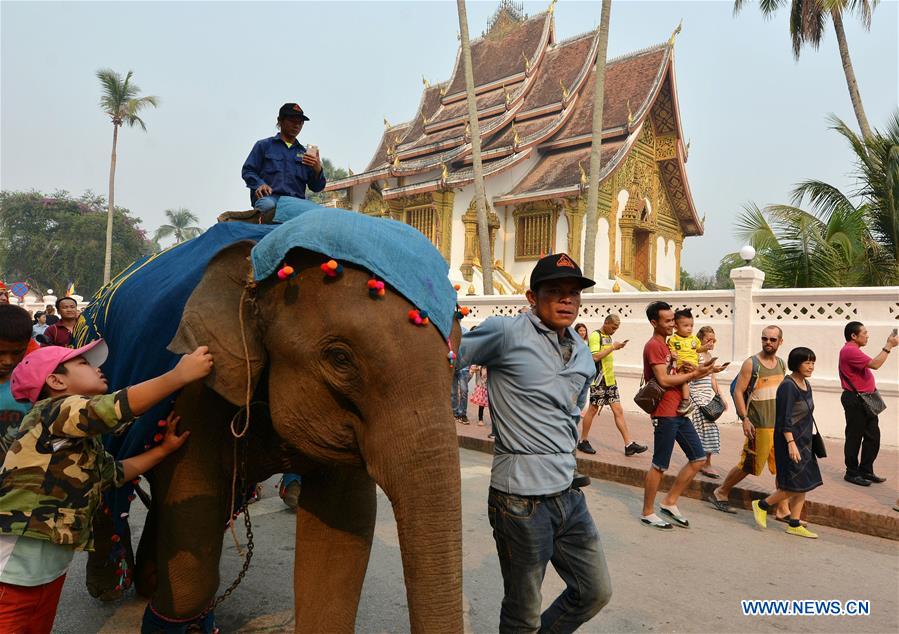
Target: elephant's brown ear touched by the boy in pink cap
<point>211,318</point>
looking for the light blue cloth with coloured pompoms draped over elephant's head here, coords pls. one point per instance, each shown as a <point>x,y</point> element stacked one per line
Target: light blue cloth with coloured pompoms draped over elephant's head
<point>396,252</point>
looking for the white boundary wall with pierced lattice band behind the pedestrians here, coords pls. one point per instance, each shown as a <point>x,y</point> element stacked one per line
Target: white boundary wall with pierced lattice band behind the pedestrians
<point>809,317</point>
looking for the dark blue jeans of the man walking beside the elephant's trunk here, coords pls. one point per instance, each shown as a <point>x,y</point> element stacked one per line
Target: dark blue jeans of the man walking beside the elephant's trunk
<point>531,531</point>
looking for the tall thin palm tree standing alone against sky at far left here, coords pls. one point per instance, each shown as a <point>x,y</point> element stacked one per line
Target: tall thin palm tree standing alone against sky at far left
<point>120,101</point>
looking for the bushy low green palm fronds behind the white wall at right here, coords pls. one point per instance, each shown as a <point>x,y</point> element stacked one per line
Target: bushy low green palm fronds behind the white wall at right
<point>840,242</point>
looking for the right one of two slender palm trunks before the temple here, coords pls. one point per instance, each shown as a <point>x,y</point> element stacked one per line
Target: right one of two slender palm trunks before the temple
<point>592,220</point>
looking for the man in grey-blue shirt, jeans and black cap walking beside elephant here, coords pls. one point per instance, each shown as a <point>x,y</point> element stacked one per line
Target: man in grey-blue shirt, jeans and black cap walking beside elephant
<point>540,376</point>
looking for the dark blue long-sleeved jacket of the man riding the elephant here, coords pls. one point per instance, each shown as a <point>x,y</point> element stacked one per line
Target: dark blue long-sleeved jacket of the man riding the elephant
<point>280,167</point>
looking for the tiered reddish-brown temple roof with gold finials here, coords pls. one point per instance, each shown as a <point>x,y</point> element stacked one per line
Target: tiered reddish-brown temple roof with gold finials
<point>535,95</point>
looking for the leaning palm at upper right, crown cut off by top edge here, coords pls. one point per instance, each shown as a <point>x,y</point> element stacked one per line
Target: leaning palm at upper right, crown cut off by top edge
<point>808,20</point>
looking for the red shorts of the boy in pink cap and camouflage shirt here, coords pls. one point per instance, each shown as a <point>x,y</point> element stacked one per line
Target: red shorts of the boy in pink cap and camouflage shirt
<point>29,609</point>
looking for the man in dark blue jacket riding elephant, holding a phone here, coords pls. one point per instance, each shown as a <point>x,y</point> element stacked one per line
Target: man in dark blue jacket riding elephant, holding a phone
<point>281,165</point>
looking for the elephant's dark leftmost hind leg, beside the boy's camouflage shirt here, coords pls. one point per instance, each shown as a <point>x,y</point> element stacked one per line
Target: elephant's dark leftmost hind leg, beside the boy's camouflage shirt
<point>102,576</point>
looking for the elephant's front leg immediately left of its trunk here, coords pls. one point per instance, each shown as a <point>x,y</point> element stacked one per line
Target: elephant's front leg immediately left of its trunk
<point>335,526</point>
